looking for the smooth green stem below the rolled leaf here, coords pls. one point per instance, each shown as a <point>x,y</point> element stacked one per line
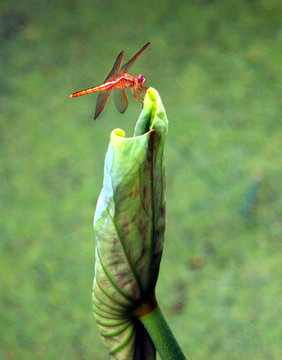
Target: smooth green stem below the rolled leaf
<point>161,335</point>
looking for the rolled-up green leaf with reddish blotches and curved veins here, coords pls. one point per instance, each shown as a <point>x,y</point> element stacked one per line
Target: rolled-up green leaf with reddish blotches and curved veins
<point>129,226</point>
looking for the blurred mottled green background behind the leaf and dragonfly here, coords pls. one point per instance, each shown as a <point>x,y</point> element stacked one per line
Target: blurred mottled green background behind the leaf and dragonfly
<point>217,66</point>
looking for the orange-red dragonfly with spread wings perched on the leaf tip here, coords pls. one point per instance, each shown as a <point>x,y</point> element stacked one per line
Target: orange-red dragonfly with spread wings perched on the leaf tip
<point>119,80</point>
